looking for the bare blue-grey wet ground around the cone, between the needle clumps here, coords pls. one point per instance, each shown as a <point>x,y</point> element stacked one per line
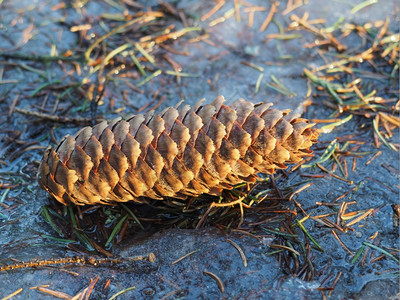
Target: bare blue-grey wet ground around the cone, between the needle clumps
<point>217,64</point>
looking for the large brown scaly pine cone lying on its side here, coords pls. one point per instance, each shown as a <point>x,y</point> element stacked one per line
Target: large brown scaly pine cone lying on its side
<point>177,153</point>
